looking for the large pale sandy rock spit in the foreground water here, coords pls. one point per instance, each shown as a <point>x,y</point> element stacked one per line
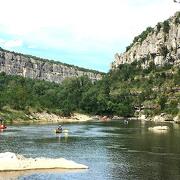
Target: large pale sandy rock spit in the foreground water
<point>10,161</point>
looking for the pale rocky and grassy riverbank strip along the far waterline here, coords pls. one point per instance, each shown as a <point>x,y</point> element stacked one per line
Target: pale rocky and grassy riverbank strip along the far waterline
<point>18,117</point>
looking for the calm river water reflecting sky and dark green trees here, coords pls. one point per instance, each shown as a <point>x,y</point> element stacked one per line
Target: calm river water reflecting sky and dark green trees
<point>112,150</point>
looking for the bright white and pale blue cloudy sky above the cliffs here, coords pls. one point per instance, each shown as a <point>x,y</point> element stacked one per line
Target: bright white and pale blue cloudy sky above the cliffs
<point>86,33</point>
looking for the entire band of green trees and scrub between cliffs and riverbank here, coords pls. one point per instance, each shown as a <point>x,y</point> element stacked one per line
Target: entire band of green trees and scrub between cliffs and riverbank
<point>121,92</point>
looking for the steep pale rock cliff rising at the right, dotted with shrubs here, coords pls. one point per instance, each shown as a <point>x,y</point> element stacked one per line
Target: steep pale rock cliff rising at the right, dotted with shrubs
<point>160,45</point>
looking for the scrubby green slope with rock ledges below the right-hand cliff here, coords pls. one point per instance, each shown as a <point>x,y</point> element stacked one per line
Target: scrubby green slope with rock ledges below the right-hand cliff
<point>152,91</point>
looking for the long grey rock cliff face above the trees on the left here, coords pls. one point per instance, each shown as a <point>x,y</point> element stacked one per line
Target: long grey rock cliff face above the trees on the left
<point>32,67</point>
